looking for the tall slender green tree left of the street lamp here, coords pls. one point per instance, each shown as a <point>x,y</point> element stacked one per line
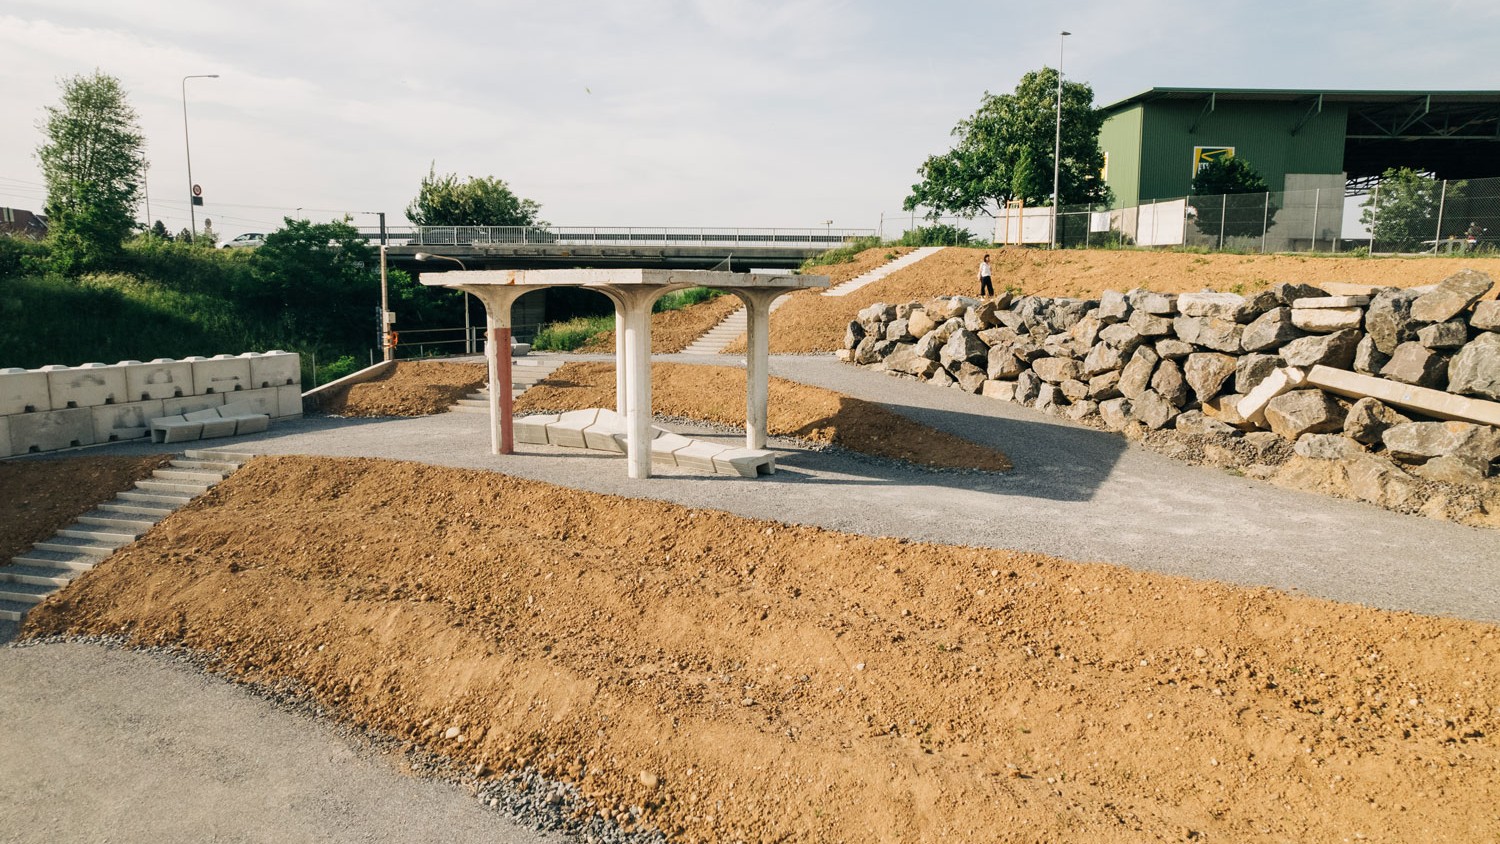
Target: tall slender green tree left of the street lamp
<point>92,163</point>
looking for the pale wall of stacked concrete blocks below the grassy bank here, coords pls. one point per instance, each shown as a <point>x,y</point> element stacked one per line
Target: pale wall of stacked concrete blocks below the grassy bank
<point>65,407</point>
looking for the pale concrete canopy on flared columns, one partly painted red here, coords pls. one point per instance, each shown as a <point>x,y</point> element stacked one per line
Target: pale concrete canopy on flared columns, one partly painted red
<point>634,293</point>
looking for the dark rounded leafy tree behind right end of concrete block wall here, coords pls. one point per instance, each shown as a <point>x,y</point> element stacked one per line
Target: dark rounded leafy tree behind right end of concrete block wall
<point>320,283</point>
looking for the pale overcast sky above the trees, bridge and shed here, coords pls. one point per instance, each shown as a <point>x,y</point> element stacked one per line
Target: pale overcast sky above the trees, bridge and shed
<point>649,113</point>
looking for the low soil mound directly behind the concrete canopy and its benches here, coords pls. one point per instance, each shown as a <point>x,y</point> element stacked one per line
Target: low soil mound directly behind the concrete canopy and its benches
<point>718,395</point>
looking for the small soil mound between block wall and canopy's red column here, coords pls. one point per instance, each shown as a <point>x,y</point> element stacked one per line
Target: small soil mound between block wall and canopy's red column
<point>410,389</point>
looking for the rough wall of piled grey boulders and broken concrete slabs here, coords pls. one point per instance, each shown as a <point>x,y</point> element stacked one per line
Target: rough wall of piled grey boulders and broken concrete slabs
<point>1412,376</point>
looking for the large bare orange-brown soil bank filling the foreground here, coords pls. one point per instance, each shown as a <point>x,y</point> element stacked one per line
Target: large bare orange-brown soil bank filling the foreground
<point>754,681</point>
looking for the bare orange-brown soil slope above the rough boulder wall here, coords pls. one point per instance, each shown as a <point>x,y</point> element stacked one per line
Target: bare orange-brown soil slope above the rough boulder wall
<point>812,323</point>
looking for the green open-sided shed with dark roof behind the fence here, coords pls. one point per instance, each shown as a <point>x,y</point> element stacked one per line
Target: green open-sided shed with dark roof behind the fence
<point>1298,140</point>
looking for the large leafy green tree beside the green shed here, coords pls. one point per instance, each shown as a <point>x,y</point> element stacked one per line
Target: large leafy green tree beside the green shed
<point>1006,152</point>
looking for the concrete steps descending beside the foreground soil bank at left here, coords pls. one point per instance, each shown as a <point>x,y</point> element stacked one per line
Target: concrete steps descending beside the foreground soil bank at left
<point>76,549</point>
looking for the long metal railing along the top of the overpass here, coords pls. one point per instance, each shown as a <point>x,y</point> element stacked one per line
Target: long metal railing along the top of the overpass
<point>619,236</point>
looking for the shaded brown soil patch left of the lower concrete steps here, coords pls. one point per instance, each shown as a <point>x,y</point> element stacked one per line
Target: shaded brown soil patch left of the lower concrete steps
<point>41,497</point>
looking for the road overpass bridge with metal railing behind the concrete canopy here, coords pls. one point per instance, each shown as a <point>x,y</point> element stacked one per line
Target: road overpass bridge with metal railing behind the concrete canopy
<point>553,248</point>
